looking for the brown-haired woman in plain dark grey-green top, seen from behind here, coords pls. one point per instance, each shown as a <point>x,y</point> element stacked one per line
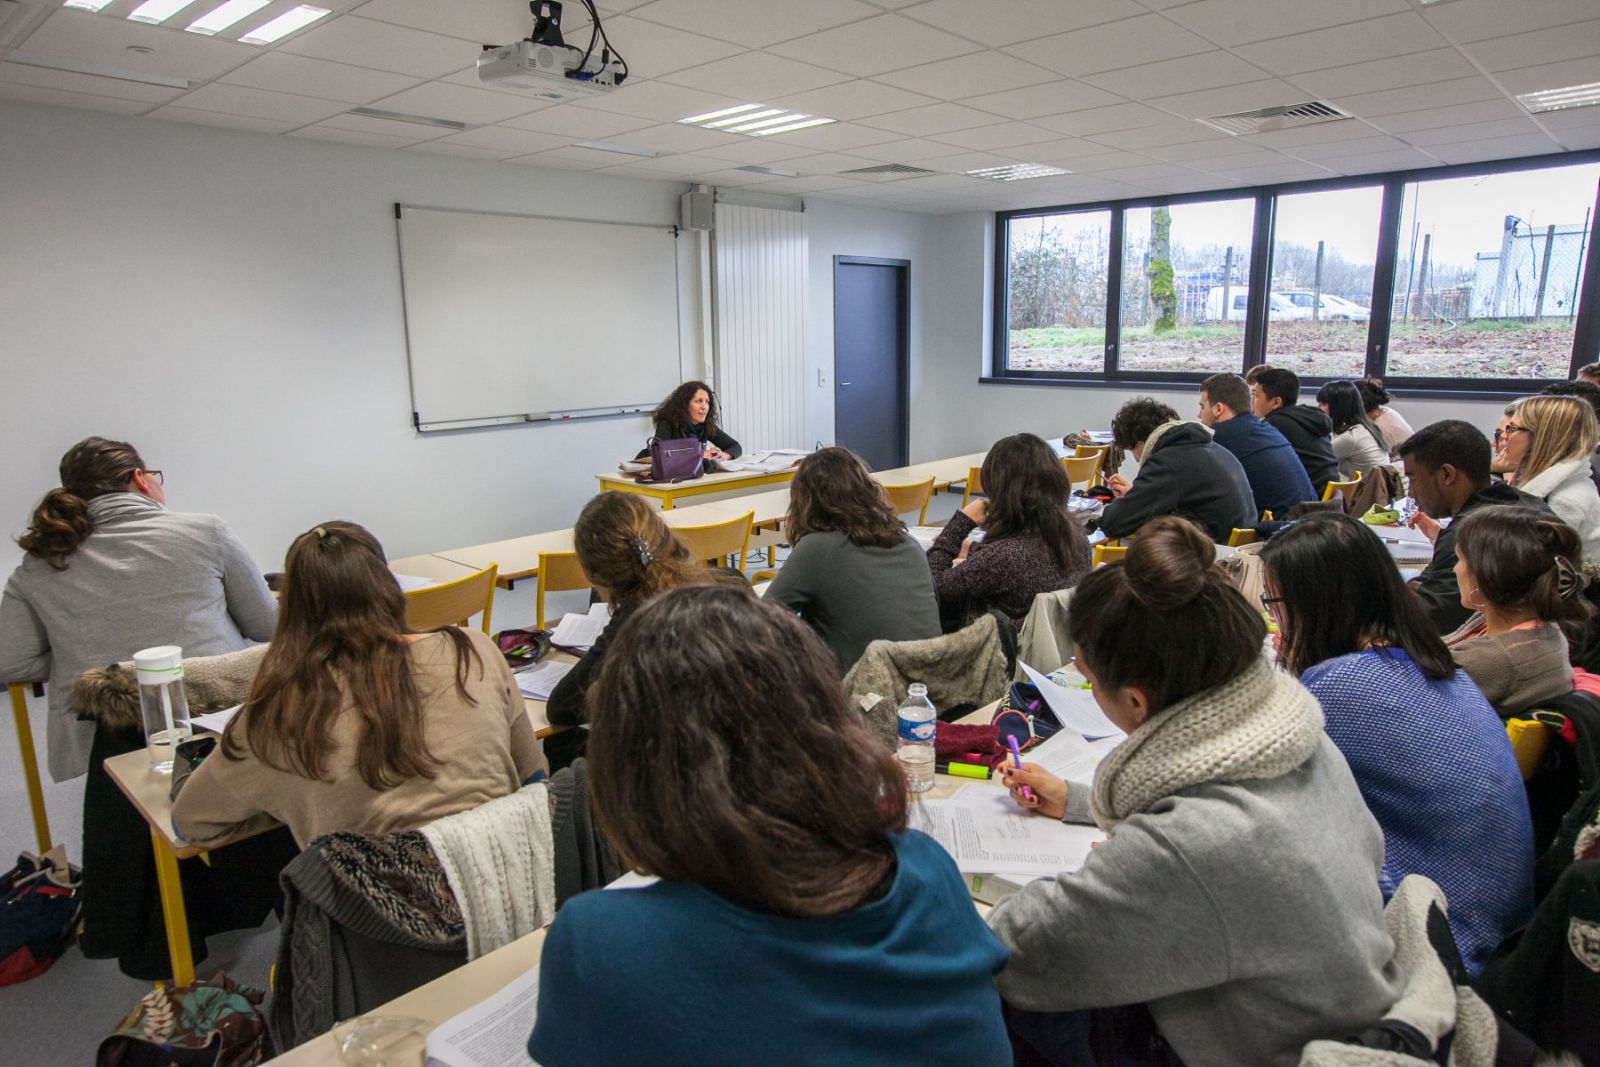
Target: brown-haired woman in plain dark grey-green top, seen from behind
<point>854,573</point>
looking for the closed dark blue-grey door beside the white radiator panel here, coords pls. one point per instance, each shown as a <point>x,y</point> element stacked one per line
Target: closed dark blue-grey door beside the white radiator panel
<point>871,356</point>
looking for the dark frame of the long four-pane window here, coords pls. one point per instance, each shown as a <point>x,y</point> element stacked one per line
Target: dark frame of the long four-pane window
<point>1586,327</point>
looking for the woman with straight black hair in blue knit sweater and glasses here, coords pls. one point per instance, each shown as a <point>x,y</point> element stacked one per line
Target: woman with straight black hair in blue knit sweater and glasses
<point>1425,746</point>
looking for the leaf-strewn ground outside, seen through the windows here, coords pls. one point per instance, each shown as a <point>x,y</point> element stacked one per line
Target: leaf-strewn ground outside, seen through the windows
<point>1318,350</point>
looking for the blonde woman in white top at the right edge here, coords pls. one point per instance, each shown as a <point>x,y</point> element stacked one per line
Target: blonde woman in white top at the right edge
<point>1543,447</point>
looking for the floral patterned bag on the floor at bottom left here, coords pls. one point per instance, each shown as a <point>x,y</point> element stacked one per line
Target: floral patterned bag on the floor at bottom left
<point>210,1025</point>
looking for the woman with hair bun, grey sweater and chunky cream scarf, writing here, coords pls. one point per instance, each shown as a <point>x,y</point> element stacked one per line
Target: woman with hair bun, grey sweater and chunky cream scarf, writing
<point>1238,893</point>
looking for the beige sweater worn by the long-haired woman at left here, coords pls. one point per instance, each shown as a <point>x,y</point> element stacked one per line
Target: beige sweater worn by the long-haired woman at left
<point>487,749</point>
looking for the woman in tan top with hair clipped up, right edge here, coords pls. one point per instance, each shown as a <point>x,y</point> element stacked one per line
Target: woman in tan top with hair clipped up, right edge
<point>1521,575</point>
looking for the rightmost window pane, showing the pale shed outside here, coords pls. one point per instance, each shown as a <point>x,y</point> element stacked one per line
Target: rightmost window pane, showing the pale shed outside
<point>1489,274</point>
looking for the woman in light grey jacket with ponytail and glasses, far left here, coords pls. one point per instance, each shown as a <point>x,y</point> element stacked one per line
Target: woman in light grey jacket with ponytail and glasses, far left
<point>108,570</point>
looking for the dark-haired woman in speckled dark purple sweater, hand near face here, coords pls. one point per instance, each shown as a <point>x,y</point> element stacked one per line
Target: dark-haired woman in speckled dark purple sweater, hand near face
<point>1031,543</point>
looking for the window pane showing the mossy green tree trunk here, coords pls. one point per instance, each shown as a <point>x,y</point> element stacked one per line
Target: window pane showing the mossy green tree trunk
<point>1185,287</point>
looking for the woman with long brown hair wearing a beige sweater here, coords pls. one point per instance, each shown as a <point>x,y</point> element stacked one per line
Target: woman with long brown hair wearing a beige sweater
<point>354,722</point>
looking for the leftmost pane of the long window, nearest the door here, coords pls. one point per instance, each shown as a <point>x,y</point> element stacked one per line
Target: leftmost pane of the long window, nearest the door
<point>1058,270</point>
